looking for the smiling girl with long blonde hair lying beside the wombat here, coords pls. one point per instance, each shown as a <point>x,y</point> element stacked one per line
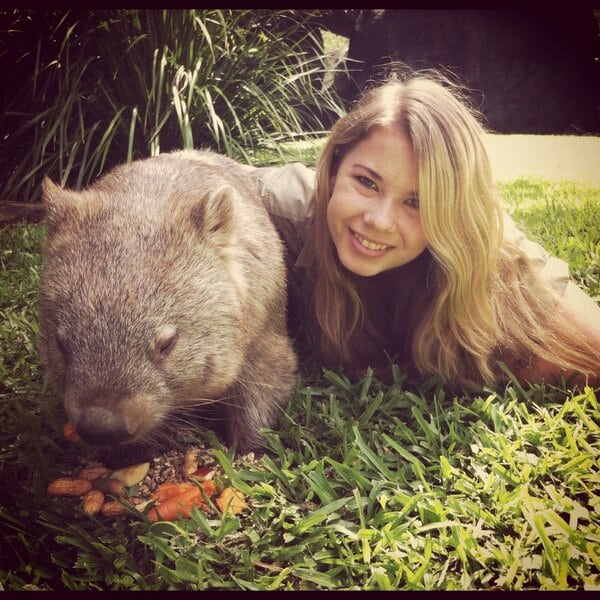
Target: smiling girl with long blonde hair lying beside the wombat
<point>398,249</point>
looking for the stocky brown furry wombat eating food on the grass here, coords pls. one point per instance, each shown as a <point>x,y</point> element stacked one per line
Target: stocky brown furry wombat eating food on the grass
<point>163,293</point>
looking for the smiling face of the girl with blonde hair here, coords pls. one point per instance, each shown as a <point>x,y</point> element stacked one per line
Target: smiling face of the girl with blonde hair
<point>373,213</point>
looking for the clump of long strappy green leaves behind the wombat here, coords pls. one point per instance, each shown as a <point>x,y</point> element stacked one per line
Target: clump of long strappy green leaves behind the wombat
<point>90,89</point>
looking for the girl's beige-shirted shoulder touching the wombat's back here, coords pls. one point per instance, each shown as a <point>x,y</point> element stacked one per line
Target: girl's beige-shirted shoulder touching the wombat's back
<point>287,191</point>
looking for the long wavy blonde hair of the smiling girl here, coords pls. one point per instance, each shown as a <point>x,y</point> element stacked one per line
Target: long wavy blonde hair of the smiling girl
<point>483,302</point>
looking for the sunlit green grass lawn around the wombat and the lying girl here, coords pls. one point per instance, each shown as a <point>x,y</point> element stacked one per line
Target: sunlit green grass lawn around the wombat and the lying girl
<point>367,485</point>
